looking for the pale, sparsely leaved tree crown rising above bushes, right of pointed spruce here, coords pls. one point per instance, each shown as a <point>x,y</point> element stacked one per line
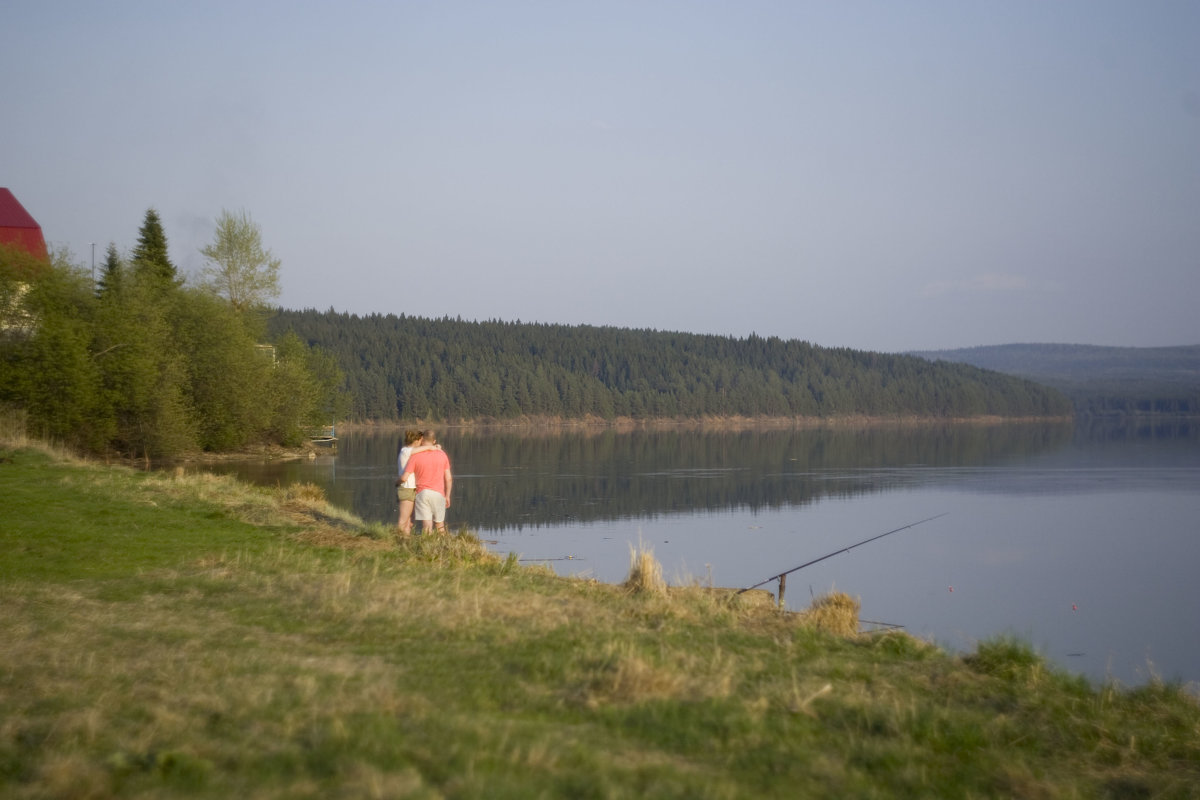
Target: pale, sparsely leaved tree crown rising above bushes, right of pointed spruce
<point>238,268</point>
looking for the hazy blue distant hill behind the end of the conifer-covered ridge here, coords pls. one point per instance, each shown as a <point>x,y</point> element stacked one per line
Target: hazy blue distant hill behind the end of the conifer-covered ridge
<point>1100,381</point>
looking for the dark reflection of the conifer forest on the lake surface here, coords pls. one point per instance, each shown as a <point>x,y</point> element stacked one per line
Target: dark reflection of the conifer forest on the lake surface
<point>523,479</point>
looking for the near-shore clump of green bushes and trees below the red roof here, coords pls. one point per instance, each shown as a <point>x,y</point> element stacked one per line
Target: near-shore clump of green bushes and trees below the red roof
<point>145,365</point>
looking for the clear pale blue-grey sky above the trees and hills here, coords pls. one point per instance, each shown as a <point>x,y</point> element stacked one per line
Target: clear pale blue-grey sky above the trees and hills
<point>873,176</point>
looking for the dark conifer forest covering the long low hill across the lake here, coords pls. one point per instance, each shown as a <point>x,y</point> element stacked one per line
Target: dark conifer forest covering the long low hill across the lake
<point>403,368</point>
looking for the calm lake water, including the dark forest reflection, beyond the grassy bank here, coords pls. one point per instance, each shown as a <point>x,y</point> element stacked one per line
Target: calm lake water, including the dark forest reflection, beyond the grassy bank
<point>1083,543</point>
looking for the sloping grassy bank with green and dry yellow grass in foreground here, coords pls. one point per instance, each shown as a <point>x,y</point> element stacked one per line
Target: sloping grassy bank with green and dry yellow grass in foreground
<point>189,636</point>
